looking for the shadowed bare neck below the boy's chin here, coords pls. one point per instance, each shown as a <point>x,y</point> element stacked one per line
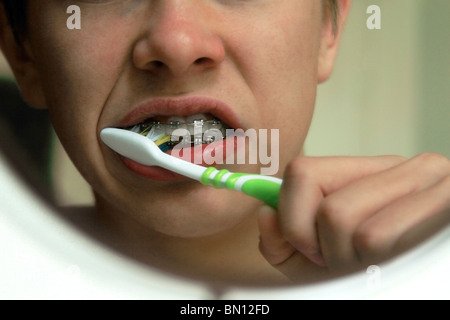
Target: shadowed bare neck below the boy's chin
<point>231,257</point>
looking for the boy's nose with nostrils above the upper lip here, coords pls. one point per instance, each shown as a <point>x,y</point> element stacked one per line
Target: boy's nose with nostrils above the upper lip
<point>179,38</point>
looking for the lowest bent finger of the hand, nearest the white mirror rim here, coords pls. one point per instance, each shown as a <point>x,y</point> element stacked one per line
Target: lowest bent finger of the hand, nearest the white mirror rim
<point>404,224</point>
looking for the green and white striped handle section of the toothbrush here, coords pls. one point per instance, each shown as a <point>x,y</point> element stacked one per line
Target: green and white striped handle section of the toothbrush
<point>264,188</point>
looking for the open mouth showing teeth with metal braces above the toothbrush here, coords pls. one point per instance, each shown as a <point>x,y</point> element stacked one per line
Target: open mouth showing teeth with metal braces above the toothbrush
<point>170,132</point>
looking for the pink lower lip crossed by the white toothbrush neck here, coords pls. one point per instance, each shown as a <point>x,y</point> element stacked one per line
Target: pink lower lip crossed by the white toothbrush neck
<point>194,155</point>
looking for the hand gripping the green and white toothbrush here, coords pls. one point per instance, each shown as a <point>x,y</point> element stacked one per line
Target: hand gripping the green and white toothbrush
<point>345,214</point>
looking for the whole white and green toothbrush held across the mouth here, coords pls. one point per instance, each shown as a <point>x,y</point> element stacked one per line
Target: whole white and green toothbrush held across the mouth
<point>144,151</point>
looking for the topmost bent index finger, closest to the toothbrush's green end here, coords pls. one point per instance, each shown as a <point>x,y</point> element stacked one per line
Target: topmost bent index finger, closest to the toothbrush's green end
<point>306,182</point>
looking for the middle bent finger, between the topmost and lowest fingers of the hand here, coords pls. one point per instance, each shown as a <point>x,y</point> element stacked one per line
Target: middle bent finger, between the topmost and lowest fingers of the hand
<point>345,210</point>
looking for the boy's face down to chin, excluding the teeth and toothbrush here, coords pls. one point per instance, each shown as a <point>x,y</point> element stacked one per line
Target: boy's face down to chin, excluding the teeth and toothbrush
<point>254,64</point>
